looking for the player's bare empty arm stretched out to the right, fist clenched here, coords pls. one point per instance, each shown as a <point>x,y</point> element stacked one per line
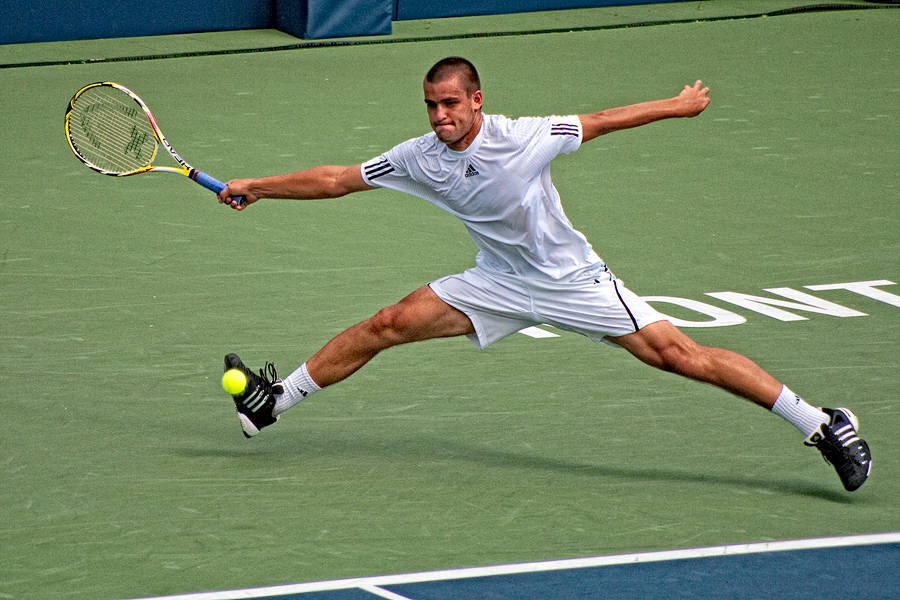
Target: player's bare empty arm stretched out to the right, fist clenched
<point>690,102</point>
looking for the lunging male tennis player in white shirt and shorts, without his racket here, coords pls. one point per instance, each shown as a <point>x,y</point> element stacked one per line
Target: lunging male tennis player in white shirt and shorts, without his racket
<point>533,266</point>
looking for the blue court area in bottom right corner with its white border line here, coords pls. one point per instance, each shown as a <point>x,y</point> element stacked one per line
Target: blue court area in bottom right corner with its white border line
<point>866,566</point>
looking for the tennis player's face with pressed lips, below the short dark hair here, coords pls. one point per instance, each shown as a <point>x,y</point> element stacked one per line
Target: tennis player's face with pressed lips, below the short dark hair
<point>455,116</point>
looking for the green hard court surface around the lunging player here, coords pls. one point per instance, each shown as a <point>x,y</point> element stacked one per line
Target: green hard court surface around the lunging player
<point>124,470</point>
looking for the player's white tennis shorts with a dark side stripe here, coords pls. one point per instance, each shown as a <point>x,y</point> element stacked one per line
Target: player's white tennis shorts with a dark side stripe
<point>499,305</point>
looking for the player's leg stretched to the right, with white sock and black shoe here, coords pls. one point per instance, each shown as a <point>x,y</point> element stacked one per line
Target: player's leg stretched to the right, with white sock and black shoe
<point>832,431</point>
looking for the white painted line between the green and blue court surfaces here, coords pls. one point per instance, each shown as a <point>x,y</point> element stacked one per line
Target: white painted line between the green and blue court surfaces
<point>370,584</point>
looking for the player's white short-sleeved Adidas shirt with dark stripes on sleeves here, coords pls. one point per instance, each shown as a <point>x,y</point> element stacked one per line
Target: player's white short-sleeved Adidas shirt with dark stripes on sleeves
<point>500,188</point>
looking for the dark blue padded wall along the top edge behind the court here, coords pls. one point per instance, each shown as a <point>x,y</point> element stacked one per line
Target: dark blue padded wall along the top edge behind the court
<point>55,20</point>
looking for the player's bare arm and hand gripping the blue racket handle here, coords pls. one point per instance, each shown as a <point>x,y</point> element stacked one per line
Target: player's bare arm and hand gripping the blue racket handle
<point>310,184</point>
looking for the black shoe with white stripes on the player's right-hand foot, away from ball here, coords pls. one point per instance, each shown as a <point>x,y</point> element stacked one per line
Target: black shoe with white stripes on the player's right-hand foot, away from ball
<point>840,445</point>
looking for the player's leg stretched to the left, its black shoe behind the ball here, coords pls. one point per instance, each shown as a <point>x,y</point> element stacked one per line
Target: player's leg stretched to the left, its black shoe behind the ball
<point>419,316</point>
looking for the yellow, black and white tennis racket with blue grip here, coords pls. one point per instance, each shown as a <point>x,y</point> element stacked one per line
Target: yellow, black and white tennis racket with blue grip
<point>111,130</point>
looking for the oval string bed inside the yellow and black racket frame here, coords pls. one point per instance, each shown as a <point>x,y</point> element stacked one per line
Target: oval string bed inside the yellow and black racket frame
<point>111,131</point>
